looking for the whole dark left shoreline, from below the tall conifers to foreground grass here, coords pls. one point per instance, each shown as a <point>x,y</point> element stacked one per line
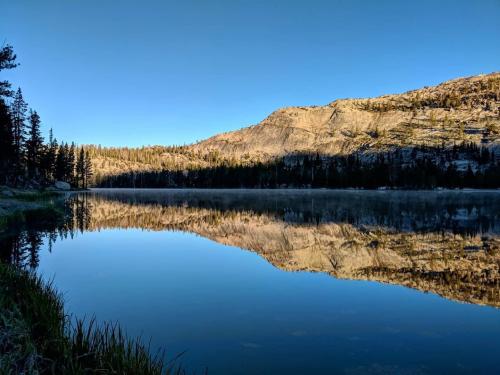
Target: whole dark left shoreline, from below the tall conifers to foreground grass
<point>37,334</point>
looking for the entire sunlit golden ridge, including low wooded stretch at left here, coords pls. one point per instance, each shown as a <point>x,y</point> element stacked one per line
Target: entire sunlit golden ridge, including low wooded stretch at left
<point>458,111</point>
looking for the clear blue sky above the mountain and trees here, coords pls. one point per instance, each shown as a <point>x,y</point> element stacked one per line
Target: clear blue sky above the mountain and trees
<point>172,72</point>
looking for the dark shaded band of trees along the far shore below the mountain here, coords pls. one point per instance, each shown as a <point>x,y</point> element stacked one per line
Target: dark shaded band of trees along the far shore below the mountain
<point>465,165</point>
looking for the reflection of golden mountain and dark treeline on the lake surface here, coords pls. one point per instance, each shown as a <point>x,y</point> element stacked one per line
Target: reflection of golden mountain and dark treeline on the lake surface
<point>445,244</point>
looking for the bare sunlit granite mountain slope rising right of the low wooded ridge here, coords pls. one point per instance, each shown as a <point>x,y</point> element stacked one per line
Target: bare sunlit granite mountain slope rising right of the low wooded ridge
<point>466,109</point>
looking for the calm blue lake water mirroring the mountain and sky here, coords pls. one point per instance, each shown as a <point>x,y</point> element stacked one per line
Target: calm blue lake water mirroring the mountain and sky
<point>287,282</point>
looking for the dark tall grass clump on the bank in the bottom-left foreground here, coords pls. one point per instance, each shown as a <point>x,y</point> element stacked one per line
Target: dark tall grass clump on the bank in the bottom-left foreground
<point>37,337</point>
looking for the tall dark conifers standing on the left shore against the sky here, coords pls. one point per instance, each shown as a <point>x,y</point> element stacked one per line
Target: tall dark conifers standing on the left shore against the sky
<point>26,160</point>
